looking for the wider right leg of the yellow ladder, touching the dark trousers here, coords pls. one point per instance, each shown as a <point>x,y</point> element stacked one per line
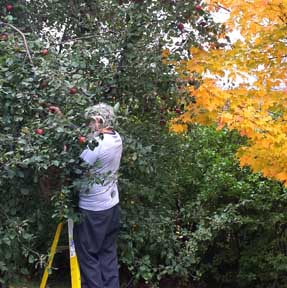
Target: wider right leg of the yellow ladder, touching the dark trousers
<point>74,265</point>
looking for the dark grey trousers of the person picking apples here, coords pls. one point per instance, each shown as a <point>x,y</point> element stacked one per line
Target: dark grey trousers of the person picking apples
<point>95,242</point>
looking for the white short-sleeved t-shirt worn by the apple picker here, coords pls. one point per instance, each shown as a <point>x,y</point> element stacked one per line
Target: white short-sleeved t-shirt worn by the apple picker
<point>104,161</point>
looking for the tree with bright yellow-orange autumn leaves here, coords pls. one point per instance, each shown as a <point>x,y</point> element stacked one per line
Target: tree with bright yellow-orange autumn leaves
<point>242,84</point>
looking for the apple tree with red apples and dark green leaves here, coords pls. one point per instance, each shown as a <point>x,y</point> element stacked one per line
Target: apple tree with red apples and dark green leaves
<point>72,54</point>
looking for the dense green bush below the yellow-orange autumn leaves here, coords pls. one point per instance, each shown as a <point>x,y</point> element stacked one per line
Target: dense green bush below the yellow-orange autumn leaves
<point>196,216</point>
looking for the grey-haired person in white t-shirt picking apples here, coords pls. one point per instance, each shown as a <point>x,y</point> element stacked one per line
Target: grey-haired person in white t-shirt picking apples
<point>95,236</point>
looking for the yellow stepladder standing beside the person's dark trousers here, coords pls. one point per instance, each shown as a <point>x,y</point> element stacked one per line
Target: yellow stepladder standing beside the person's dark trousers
<point>74,265</point>
